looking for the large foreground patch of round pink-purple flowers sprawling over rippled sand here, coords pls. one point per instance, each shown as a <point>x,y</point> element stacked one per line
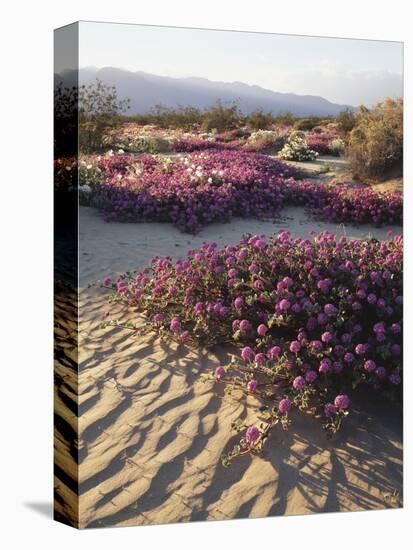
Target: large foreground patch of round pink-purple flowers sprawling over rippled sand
<point>311,320</point>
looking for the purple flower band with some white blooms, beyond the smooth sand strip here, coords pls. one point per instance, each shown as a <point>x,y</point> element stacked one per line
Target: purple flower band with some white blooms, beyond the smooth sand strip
<point>193,190</point>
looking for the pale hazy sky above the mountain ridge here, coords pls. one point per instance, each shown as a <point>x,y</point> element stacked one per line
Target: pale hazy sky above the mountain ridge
<point>341,70</point>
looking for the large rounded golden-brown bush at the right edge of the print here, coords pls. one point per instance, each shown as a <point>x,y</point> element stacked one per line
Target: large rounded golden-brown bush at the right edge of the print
<point>375,143</point>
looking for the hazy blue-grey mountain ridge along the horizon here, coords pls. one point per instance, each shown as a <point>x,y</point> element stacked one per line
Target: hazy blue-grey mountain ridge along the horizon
<point>147,90</point>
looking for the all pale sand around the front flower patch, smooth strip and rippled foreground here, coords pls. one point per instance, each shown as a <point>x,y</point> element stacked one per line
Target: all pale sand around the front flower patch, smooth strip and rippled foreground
<point>151,434</point>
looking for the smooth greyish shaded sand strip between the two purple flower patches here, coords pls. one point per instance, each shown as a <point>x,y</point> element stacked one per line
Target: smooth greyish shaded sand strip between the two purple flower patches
<point>112,248</point>
